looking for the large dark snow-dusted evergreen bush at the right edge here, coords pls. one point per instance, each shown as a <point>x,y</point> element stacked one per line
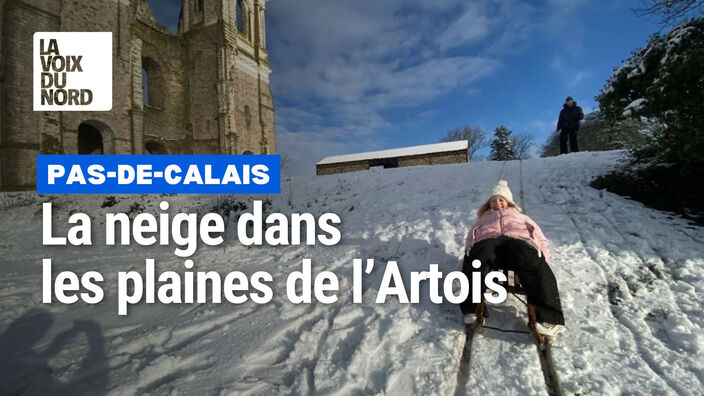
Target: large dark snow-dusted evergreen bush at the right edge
<point>662,83</point>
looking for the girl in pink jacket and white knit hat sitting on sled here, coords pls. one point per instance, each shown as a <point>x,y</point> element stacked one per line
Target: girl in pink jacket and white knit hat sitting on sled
<point>503,237</point>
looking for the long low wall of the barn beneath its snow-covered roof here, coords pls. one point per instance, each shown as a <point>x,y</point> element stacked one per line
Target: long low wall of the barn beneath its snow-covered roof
<point>447,157</point>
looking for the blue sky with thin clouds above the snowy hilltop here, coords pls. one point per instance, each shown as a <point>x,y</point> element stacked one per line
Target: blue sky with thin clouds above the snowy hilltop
<point>361,75</point>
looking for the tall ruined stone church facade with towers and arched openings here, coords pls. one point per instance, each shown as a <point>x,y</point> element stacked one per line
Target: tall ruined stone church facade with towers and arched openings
<point>207,85</point>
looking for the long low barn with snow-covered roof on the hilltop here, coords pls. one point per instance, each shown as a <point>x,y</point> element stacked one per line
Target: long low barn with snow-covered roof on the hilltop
<point>428,154</point>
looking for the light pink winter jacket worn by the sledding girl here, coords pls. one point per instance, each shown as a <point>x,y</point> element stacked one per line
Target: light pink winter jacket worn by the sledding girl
<point>511,223</point>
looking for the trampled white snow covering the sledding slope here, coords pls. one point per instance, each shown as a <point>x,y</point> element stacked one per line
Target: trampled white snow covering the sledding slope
<point>631,281</point>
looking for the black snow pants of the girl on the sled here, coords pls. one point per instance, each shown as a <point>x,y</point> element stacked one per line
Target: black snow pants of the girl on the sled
<point>534,273</point>
